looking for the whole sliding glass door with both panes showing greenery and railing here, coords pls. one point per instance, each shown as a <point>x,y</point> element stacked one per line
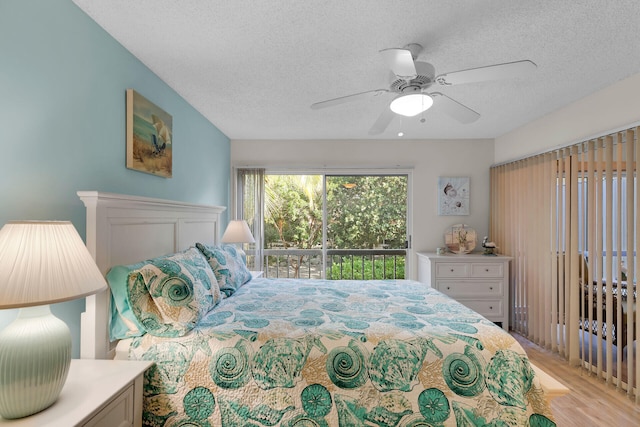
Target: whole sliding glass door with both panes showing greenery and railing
<point>335,226</point>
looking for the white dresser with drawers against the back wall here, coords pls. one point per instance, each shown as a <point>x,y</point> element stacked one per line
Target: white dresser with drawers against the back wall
<point>480,282</point>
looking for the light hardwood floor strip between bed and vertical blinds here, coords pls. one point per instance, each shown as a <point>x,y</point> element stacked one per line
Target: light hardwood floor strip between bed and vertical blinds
<point>590,402</point>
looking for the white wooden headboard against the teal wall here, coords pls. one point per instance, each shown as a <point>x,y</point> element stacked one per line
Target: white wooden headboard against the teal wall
<point>125,229</point>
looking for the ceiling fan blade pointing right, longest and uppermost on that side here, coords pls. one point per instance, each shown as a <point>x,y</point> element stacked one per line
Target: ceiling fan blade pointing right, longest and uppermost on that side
<point>490,72</point>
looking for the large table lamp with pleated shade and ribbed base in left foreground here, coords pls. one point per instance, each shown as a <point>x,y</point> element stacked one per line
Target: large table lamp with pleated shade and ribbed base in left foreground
<point>41,262</point>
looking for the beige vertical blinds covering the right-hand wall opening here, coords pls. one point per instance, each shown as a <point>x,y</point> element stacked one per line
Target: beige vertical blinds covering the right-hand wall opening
<point>569,219</point>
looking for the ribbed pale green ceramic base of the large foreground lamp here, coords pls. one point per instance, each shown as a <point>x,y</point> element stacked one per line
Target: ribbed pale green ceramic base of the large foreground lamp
<point>35,353</point>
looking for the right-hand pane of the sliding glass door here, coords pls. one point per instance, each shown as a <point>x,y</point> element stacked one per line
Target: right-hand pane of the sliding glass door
<point>366,230</point>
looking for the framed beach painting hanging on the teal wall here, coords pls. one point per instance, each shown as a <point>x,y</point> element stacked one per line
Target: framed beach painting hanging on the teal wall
<point>149,136</point>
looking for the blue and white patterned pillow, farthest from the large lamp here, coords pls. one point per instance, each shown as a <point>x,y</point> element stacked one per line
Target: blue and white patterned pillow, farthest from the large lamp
<point>229,264</point>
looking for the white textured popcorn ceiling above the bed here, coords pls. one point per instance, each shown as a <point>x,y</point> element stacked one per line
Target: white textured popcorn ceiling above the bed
<point>253,68</point>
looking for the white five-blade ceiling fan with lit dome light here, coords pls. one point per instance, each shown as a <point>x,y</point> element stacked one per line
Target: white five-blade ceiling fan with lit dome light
<point>412,80</point>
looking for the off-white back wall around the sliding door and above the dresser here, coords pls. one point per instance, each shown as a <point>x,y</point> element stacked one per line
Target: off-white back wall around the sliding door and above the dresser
<point>428,159</point>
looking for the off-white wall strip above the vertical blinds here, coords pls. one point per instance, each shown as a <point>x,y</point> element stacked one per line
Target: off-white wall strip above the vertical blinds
<point>610,109</point>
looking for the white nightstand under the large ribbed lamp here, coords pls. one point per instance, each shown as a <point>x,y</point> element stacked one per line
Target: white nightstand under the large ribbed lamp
<point>98,393</point>
